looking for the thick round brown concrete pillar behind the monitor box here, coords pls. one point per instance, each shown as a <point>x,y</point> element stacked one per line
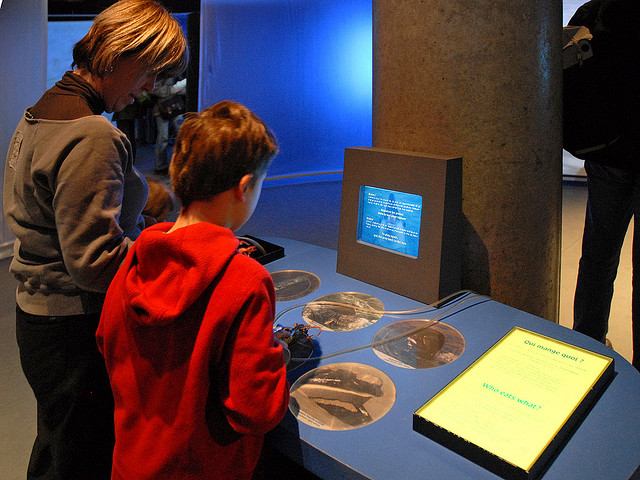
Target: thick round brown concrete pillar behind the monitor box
<point>482,79</point>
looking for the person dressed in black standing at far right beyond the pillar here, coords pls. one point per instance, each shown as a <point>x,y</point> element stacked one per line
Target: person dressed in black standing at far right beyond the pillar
<point>613,170</point>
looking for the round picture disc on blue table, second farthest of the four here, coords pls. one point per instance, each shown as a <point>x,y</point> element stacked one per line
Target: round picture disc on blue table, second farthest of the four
<point>343,311</point>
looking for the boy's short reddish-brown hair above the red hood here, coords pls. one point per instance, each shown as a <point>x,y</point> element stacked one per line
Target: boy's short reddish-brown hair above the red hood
<point>216,148</point>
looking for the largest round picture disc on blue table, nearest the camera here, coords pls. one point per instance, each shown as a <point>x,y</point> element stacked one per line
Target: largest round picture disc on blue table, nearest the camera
<point>342,396</point>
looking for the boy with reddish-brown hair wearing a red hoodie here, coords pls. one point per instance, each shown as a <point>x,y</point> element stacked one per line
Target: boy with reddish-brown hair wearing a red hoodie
<point>186,329</point>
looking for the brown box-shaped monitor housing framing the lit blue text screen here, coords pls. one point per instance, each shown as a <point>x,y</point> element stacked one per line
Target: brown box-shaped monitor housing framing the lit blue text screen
<point>436,271</point>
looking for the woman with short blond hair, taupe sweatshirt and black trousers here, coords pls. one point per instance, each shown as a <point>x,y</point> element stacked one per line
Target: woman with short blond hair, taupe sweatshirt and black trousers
<point>73,200</point>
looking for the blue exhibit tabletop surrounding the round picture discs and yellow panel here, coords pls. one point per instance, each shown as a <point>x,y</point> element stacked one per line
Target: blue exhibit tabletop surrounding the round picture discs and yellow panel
<point>605,445</point>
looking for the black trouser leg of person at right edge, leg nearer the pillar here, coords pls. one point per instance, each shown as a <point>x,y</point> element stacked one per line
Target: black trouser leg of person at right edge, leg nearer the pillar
<point>609,210</point>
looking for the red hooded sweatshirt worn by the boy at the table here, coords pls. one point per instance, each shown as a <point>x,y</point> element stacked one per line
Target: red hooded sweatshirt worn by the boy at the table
<point>186,333</point>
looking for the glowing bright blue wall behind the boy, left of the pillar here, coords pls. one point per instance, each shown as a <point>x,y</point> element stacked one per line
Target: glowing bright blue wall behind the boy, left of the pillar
<point>304,66</point>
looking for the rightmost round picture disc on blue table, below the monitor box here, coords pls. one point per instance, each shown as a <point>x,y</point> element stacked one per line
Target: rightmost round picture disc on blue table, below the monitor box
<point>418,343</point>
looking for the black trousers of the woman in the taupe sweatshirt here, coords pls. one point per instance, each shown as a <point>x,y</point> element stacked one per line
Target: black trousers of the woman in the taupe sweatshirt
<point>75,407</point>
